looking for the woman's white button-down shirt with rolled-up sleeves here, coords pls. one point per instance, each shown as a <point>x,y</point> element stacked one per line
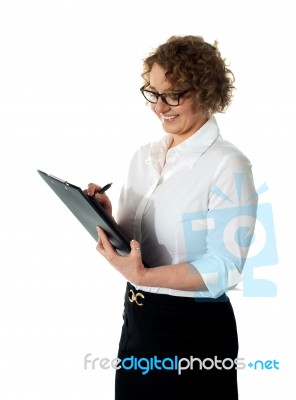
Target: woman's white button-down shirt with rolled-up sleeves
<point>193,203</point>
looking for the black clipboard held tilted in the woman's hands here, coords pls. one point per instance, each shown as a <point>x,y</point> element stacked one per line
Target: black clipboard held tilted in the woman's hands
<point>88,211</point>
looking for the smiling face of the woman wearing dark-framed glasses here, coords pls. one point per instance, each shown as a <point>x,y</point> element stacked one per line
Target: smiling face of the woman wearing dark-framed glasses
<point>181,121</point>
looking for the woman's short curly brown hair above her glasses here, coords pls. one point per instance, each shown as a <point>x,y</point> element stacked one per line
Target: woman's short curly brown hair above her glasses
<point>192,64</point>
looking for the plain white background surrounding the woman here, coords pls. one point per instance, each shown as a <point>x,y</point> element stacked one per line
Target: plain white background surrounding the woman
<point>70,105</point>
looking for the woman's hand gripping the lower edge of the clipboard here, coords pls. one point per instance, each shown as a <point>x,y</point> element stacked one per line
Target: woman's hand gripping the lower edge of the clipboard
<point>130,266</point>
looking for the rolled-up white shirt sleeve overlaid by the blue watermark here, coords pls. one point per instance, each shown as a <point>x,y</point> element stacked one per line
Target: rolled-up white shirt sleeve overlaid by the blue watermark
<point>227,226</point>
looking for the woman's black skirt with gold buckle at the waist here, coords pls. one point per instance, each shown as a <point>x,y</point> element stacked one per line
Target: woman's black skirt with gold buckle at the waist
<point>176,348</point>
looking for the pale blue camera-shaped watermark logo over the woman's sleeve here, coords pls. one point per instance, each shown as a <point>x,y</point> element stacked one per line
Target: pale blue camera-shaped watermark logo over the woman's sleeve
<point>240,236</point>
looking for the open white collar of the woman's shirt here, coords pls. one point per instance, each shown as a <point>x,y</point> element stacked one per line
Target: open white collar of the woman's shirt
<point>190,149</point>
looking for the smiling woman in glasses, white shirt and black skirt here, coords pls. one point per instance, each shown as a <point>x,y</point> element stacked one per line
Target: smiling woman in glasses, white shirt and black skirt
<point>179,336</point>
